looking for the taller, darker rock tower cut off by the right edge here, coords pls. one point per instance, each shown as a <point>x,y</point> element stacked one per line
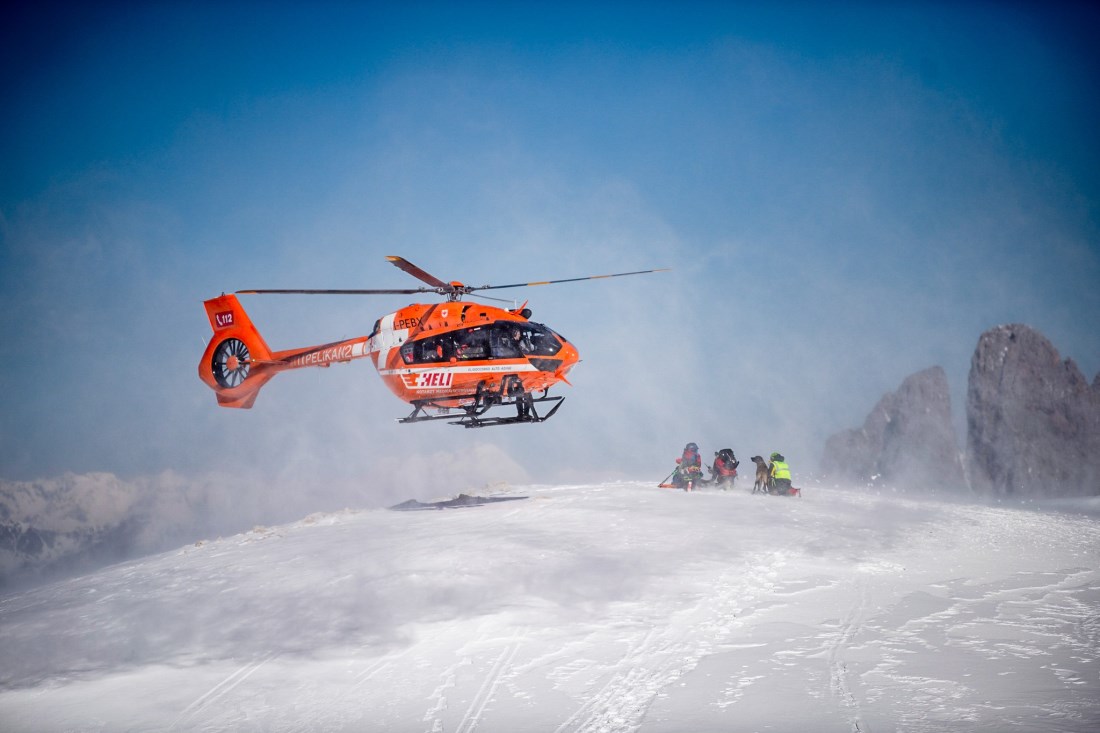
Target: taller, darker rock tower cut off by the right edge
<point>1033,420</point>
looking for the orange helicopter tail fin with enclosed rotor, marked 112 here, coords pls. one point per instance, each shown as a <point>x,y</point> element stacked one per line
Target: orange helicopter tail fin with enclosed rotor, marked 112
<point>234,364</point>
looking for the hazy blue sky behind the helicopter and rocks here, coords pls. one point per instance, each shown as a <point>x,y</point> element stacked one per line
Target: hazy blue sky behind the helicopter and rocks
<point>845,196</point>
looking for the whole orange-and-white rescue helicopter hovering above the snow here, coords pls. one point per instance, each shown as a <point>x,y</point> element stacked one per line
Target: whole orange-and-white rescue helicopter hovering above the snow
<point>448,360</point>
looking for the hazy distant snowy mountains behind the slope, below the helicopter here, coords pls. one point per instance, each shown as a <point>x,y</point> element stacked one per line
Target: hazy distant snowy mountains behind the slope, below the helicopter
<point>76,523</point>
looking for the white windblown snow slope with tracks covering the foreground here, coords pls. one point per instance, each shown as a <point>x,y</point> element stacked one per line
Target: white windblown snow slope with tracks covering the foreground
<point>608,608</point>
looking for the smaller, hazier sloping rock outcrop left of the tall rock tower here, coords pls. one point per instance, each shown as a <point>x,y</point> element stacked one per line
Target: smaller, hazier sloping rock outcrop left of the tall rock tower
<point>907,442</point>
